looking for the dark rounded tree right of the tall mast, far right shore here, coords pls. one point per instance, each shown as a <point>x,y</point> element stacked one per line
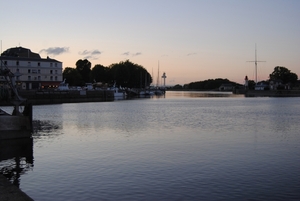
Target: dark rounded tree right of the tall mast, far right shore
<point>283,74</point>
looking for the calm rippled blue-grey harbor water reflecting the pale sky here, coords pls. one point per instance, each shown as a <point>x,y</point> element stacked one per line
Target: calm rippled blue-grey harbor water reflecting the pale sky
<point>183,146</point>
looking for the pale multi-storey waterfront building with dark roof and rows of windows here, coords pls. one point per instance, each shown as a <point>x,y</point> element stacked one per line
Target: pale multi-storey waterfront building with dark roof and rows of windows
<point>32,71</point>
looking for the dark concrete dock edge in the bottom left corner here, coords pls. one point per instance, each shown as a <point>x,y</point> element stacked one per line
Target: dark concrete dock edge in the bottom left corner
<point>9,192</point>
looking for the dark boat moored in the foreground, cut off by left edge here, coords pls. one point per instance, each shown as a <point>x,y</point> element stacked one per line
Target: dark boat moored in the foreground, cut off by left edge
<point>18,124</point>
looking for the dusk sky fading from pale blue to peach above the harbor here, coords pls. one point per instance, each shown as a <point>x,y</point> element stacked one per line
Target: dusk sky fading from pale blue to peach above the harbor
<point>192,40</point>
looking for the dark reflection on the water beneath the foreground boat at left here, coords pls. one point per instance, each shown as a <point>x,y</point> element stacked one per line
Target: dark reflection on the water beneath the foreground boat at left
<point>16,158</point>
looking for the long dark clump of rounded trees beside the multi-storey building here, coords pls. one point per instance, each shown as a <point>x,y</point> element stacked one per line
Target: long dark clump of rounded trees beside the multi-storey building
<point>124,73</point>
